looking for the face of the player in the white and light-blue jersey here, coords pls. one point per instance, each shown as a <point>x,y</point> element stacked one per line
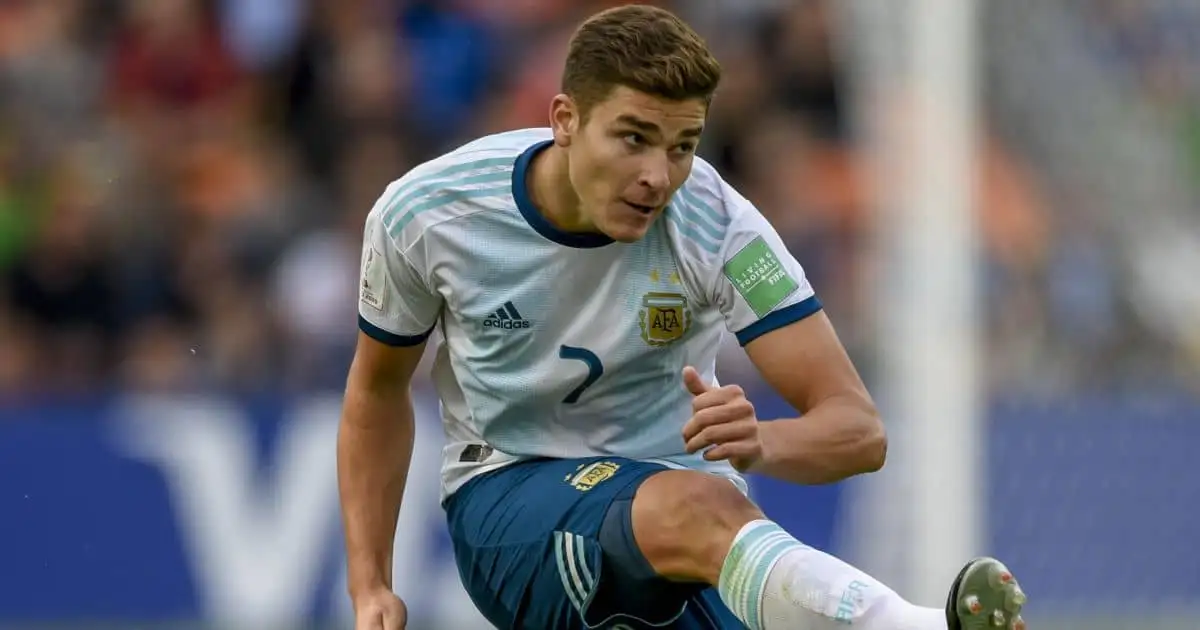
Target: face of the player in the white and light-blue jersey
<point>631,158</point>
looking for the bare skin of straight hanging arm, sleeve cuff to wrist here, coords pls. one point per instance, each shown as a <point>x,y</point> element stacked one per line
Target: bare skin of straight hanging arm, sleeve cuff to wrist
<point>375,446</point>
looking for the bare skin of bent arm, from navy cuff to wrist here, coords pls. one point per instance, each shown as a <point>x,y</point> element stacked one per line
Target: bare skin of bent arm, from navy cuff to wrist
<point>841,434</point>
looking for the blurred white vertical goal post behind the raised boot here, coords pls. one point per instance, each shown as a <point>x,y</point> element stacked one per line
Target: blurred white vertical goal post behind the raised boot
<point>935,353</point>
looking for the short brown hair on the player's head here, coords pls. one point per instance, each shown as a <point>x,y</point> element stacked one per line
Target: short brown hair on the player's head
<point>641,47</point>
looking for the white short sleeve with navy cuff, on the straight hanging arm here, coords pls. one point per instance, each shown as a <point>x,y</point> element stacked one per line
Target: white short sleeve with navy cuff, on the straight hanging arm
<point>397,307</point>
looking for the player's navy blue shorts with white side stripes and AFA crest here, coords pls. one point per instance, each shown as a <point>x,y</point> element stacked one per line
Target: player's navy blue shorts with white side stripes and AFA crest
<point>529,547</point>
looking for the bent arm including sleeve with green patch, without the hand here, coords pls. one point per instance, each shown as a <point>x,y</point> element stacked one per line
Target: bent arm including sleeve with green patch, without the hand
<point>770,305</point>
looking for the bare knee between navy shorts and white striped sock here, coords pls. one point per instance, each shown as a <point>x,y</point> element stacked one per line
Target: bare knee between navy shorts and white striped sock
<point>685,524</point>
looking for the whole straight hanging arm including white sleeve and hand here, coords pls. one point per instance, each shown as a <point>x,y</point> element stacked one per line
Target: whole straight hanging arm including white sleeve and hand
<point>398,311</point>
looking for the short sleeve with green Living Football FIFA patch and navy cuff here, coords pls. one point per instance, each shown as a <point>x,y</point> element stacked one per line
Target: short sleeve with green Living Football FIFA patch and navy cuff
<point>758,285</point>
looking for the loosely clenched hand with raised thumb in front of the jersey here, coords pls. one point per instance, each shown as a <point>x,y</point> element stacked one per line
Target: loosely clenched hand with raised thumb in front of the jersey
<point>723,422</point>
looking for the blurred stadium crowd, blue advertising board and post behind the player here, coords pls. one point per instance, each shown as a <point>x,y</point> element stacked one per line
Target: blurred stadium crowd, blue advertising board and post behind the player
<point>998,202</point>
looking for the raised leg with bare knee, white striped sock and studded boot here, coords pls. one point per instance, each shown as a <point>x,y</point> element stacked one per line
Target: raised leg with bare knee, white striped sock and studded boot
<point>693,527</point>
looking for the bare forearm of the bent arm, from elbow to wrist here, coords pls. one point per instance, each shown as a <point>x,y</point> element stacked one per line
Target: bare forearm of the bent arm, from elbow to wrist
<point>835,441</point>
